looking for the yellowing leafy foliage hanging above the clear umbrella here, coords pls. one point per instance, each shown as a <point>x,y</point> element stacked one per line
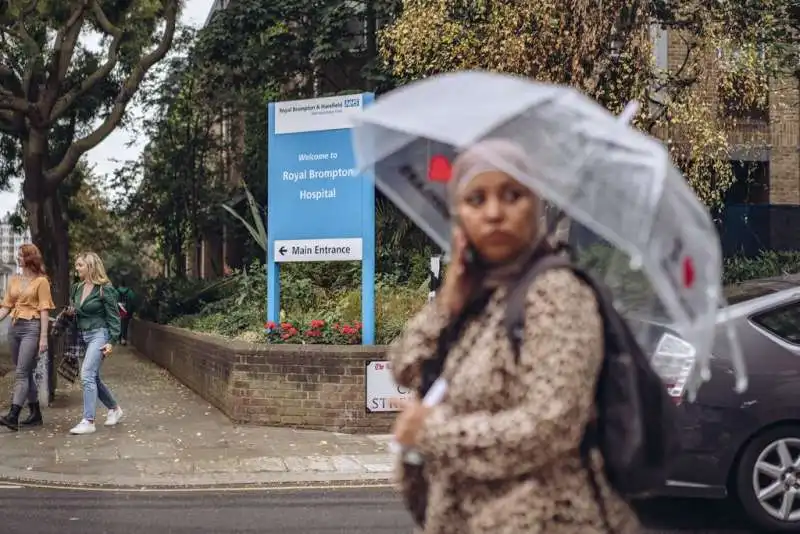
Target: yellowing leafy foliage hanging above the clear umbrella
<point>606,51</point>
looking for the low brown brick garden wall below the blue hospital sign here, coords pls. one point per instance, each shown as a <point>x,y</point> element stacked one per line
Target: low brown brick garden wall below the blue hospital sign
<point>307,386</point>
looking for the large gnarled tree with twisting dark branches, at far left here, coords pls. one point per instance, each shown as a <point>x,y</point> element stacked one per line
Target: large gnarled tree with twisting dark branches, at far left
<point>68,70</point>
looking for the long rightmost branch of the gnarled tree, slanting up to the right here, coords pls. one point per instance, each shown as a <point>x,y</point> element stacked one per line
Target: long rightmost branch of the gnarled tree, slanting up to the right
<point>56,174</point>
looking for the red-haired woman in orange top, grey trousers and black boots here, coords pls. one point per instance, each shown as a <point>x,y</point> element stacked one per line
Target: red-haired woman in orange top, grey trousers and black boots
<point>28,301</point>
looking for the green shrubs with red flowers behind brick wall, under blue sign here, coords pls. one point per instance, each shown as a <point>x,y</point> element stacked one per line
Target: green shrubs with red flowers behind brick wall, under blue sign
<point>236,308</point>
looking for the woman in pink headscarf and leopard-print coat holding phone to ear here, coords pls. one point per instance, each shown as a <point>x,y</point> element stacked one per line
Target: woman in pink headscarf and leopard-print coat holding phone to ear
<point>502,451</point>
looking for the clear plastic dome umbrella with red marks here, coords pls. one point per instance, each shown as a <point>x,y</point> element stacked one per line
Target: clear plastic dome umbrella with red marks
<point>642,229</point>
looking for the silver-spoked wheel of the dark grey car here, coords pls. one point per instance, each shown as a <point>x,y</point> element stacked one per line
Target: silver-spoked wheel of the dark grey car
<point>768,479</point>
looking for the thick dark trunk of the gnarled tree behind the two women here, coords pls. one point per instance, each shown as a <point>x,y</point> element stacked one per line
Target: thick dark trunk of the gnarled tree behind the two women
<point>49,233</point>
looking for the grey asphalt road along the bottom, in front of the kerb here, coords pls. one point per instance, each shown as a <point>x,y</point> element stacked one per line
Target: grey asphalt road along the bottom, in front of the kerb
<point>308,511</point>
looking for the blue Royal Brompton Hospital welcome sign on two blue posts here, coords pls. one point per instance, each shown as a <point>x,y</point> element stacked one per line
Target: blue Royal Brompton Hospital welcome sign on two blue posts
<point>319,208</point>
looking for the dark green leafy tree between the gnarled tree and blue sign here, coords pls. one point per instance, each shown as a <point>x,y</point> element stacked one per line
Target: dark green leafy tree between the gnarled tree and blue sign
<point>176,187</point>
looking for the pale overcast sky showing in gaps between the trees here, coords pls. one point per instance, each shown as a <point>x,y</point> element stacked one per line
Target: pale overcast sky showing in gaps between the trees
<point>114,147</point>
